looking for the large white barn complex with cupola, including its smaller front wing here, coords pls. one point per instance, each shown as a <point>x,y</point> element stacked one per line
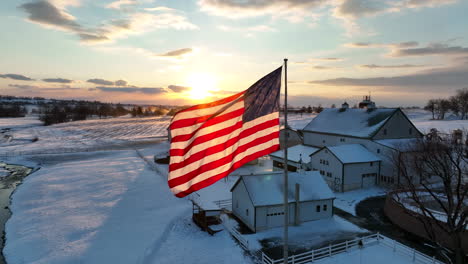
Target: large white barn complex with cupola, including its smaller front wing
<point>376,135</point>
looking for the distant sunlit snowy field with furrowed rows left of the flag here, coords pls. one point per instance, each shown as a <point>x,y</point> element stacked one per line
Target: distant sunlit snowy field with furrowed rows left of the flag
<point>82,135</point>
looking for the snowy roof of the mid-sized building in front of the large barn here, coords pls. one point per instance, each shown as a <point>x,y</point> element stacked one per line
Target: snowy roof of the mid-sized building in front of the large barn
<point>353,153</point>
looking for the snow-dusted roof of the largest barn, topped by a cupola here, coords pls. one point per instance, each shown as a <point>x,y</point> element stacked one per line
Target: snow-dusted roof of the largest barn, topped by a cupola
<point>363,123</point>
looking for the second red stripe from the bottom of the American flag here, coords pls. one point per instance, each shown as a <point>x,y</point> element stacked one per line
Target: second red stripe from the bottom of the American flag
<point>222,161</point>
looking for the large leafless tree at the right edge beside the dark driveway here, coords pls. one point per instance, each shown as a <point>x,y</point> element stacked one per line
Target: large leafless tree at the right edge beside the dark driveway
<point>434,185</point>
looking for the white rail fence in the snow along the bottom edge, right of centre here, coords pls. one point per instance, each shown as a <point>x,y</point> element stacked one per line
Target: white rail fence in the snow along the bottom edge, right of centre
<point>317,254</point>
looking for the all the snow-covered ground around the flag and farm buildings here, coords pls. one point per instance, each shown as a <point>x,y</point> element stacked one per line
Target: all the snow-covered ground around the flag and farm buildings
<point>113,207</point>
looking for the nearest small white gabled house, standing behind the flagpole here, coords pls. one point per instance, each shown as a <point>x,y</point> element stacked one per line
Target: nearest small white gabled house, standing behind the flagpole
<point>257,200</point>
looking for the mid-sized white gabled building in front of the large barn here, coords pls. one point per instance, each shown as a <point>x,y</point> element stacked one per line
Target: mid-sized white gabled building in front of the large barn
<point>347,167</point>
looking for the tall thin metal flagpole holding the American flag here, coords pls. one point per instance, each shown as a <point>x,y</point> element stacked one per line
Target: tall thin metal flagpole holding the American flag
<point>285,167</point>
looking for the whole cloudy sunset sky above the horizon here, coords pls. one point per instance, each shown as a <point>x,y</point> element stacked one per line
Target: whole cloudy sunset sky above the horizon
<point>402,52</point>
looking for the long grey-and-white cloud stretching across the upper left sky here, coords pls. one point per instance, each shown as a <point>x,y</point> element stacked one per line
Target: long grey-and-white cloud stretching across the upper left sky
<point>48,15</point>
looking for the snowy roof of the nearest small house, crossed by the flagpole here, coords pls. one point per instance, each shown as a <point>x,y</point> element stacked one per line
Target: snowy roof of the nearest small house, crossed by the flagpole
<point>267,189</point>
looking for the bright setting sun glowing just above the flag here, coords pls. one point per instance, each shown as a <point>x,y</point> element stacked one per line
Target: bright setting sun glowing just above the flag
<point>202,85</point>
